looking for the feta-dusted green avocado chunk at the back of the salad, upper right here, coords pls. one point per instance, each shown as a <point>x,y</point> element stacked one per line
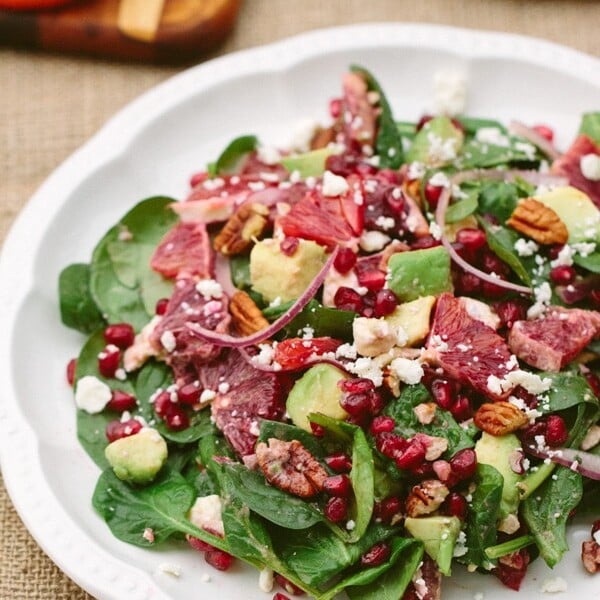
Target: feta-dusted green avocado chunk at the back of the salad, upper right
<point>438,143</point>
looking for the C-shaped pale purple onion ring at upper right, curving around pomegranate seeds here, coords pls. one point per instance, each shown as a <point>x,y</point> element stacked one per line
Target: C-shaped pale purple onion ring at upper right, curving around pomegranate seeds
<point>496,174</point>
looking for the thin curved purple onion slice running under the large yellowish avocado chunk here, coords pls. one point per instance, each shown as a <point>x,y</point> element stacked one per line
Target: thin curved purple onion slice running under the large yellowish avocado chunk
<point>221,339</point>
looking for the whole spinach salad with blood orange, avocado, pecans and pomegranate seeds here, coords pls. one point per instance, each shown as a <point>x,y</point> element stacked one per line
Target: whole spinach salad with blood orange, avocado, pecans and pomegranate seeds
<point>357,362</point>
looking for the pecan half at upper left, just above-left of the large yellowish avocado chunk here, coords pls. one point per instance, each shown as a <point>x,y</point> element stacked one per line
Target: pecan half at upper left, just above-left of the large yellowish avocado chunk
<point>248,221</point>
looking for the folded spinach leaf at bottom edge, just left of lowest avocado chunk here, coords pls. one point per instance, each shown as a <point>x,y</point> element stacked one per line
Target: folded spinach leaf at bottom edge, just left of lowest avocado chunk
<point>389,580</point>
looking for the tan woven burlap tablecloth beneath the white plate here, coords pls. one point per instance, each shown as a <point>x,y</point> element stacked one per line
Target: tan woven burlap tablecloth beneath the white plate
<point>49,105</point>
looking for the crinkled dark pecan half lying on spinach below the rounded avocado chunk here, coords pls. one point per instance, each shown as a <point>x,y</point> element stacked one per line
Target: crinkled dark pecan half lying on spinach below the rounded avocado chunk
<point>290,467</point>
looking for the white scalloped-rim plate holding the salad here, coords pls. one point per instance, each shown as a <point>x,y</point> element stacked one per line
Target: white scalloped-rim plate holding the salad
<point>151,147</point>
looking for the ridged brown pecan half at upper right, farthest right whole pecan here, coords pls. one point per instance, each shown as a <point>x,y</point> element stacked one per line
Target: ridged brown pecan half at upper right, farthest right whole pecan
<point>538,222</point>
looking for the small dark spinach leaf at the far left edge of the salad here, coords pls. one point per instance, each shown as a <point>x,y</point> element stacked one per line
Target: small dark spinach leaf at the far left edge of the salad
<point>77,307</point>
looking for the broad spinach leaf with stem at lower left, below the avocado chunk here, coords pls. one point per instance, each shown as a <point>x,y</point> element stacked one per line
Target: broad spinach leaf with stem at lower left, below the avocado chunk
<point>161,506</point>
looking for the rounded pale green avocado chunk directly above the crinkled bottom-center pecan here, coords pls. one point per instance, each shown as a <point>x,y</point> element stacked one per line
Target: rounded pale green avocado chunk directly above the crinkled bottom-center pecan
<point>317,391</point>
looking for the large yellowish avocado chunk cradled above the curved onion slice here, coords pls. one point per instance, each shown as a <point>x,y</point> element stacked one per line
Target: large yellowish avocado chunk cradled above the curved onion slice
<point>276,275</point>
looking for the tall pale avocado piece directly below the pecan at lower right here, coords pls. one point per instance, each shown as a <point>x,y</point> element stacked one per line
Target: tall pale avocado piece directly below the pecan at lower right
<point>496,451</point>
